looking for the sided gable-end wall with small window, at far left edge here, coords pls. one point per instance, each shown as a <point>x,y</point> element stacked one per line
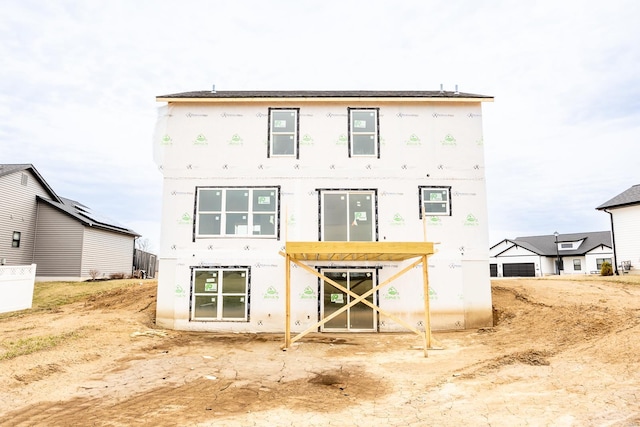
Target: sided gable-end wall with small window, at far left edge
<point>18,210</point>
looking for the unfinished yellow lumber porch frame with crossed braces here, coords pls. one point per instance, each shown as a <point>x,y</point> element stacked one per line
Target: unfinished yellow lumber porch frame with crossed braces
<point>301,252</point>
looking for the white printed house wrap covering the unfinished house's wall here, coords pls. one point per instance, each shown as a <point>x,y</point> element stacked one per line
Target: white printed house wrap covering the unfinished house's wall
<point>224,144</point>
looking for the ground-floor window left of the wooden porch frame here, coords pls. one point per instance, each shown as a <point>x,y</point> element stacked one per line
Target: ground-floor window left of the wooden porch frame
<point>220,293</point>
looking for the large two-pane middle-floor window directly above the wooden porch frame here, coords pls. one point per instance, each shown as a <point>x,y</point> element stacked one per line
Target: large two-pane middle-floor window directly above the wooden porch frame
<point>348,215</point>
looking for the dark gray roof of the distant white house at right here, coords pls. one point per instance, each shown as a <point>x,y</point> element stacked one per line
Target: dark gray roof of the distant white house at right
<point>546,245</point>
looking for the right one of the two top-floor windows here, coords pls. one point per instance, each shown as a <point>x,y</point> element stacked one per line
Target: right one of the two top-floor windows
<point>363,132</point>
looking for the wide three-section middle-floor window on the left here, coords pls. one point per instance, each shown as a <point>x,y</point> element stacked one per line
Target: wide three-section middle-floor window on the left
<point>237,211</point>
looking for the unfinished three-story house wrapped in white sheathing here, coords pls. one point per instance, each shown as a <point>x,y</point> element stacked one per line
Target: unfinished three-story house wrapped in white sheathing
<point>247,173</point>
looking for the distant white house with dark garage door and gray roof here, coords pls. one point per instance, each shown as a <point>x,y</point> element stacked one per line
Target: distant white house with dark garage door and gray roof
<point>537,256</point>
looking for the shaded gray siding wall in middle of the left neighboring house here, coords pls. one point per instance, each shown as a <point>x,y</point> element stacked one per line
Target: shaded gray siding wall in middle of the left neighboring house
<point>59,247</point>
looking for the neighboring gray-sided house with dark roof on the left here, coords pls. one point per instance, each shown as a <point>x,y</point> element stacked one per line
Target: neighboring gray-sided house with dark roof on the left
<point>64,238</point>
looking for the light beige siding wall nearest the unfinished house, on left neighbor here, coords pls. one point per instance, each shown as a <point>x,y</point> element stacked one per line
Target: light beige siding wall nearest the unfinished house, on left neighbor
<point>106,252</point>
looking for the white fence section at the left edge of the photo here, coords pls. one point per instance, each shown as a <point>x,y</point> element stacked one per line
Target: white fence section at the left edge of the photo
<point>16,287</point>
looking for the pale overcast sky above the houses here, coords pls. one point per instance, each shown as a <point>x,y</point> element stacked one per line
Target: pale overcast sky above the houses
<point>78,81</point>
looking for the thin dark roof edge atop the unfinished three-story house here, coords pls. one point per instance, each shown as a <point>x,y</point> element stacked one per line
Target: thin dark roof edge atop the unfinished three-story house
<point>323,94</point>
